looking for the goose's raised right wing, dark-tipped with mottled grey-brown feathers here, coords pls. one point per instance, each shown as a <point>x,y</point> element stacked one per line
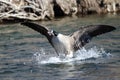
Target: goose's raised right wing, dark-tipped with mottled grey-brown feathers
<point>85,34</point>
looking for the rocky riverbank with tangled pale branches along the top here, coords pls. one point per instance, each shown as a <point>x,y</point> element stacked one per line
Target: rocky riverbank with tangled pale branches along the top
<point>50,9</point>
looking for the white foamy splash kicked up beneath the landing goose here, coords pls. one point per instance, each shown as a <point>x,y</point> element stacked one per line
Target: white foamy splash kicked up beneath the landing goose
<point>42,57</point>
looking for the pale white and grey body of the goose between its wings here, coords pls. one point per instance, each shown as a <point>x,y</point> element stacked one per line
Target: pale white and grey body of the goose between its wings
<point>63,44</point>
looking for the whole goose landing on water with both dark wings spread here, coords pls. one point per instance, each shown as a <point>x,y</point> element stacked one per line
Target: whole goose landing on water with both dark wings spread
<point>68,44</point>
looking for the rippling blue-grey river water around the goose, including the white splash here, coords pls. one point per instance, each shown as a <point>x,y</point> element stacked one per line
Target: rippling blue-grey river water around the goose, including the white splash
<point>27,55</point>
